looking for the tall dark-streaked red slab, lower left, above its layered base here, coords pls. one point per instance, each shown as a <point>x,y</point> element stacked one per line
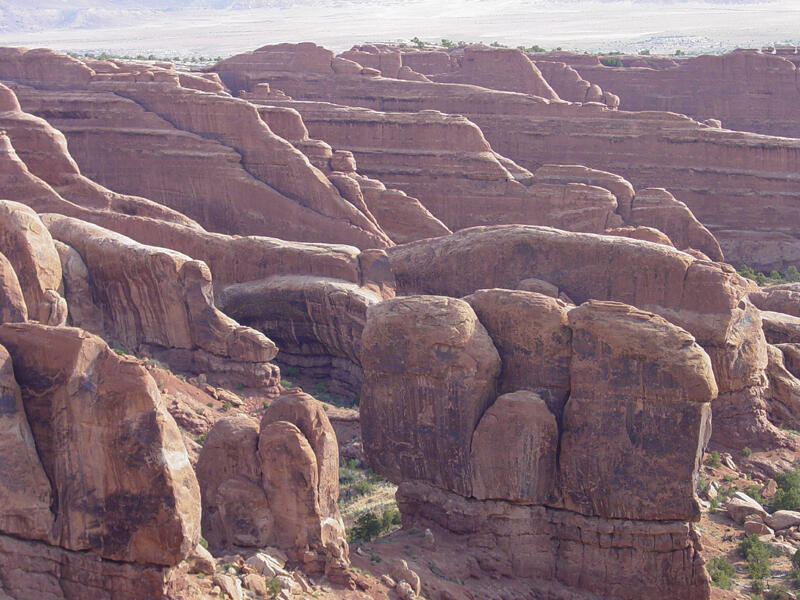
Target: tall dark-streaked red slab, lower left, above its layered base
<point>127,492</point>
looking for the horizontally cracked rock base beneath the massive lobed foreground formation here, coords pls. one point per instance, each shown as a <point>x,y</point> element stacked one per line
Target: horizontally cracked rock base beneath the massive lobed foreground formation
<point>561,553</point>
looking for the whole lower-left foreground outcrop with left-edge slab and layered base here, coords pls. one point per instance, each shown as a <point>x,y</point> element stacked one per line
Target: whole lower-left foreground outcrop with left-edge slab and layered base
<point>108,514</point>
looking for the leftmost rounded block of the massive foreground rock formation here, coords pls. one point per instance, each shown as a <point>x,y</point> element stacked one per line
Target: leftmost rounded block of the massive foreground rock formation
<point>430,370</point>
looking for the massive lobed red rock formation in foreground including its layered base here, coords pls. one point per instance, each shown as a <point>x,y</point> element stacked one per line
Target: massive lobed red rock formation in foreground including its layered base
<point>639,391</point>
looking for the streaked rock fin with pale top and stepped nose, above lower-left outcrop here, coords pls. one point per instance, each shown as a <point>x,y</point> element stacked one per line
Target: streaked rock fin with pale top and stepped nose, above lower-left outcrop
<point>162,300</point>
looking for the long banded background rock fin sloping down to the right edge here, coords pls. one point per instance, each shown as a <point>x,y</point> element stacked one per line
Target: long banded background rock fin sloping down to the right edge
<point>650,149</point>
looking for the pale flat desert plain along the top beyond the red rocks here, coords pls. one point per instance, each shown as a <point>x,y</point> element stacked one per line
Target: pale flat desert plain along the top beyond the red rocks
<point>593,25</point>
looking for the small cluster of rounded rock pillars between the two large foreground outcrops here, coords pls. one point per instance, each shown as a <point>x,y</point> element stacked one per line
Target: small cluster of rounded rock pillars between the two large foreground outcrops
<point>275,485</point>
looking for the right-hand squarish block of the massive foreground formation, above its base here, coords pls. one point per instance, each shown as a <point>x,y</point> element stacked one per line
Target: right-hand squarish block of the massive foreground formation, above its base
<point>638,416</point>
